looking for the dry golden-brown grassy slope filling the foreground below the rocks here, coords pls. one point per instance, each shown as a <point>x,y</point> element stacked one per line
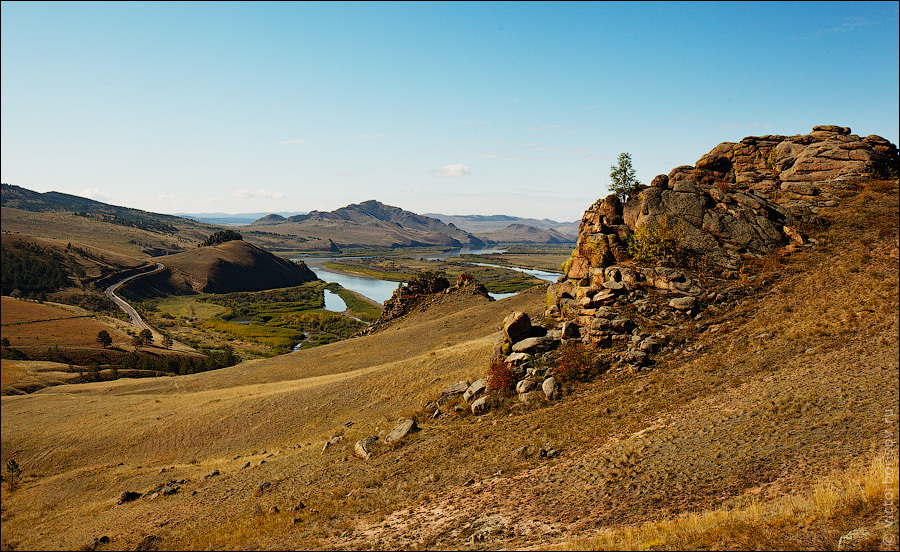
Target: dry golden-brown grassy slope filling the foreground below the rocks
<point>795,383</point>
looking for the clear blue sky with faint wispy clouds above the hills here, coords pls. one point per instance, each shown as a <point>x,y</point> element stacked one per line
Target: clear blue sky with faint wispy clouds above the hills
<point>454,108</point>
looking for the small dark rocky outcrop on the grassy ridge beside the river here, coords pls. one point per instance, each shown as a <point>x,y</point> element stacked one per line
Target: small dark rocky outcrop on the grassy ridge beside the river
<point>424,287</point>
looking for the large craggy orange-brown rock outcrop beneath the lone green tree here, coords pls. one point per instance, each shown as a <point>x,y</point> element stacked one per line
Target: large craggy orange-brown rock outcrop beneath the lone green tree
<point>739,201</point>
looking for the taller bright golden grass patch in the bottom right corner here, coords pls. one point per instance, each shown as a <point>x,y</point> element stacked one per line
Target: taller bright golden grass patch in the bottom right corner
<point>751,524</point>
